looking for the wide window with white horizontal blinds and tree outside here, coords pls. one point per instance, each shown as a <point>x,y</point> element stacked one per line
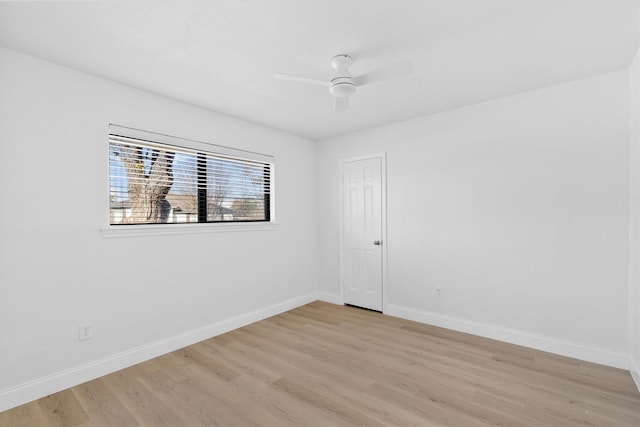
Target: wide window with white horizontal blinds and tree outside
<point>155,182</point>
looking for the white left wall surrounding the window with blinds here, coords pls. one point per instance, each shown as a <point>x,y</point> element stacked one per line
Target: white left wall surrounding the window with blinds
<point>56,268</point>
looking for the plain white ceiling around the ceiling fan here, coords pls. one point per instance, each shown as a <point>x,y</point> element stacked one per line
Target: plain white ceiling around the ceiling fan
<point>222,54</point>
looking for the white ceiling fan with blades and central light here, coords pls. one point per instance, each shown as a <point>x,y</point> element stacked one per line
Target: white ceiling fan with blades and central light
<point>343,84</point>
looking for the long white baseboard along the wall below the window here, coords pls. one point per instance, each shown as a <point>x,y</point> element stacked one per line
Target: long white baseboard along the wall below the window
<point>32,390</point>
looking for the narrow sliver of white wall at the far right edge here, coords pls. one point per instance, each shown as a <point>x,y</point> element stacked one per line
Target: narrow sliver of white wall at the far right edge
<point>634,221</point>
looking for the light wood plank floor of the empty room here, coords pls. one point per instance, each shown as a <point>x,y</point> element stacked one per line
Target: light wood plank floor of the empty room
<point>328,365</point>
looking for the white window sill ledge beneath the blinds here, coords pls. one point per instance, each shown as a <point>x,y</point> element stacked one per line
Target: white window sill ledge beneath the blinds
<point>170,229</point>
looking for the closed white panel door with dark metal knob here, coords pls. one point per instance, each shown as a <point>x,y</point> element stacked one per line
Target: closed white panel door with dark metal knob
<point>362,221</point>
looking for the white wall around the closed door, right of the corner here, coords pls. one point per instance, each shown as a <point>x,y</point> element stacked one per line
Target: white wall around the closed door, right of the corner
<point>517,207</point>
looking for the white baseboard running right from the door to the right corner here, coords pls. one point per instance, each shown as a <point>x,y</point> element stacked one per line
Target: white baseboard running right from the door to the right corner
<point>558,346</point>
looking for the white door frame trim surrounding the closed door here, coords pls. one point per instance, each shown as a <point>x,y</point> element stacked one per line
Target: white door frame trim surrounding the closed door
<point>383,202</point>
